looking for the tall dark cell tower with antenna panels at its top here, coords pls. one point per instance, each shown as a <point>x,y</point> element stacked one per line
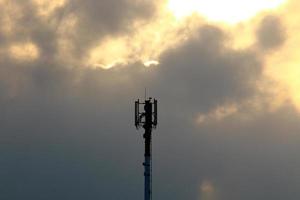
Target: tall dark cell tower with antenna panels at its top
<point>147,120</point>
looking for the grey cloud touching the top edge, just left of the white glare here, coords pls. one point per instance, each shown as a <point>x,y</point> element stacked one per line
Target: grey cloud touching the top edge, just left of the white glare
<point>97,19</point>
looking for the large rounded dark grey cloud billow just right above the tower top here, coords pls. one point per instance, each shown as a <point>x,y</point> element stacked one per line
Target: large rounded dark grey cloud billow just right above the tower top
<point>203,73</point>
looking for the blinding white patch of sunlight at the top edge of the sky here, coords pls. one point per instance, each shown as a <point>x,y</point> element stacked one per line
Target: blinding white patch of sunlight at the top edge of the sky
<point>230,11</point>
